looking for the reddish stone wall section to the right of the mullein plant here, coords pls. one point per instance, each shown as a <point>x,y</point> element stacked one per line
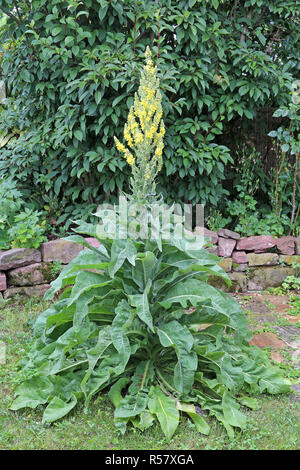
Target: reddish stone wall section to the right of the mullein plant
<point>253,263</point>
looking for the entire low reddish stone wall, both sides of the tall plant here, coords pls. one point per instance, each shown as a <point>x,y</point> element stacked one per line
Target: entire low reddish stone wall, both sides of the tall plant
<point>253,263</point>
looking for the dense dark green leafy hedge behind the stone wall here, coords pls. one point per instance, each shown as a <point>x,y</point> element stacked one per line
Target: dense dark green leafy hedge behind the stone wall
<point>71,69</point>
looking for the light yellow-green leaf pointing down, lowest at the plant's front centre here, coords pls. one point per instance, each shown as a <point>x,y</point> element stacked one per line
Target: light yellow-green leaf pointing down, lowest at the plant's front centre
<point>165,409</point>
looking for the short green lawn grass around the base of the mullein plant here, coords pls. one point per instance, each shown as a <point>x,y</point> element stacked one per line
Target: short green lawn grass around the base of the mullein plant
<point>274,426</point>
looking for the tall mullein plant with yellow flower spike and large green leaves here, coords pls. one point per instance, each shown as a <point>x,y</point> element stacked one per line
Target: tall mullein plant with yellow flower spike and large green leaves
<point>137,319</point>
